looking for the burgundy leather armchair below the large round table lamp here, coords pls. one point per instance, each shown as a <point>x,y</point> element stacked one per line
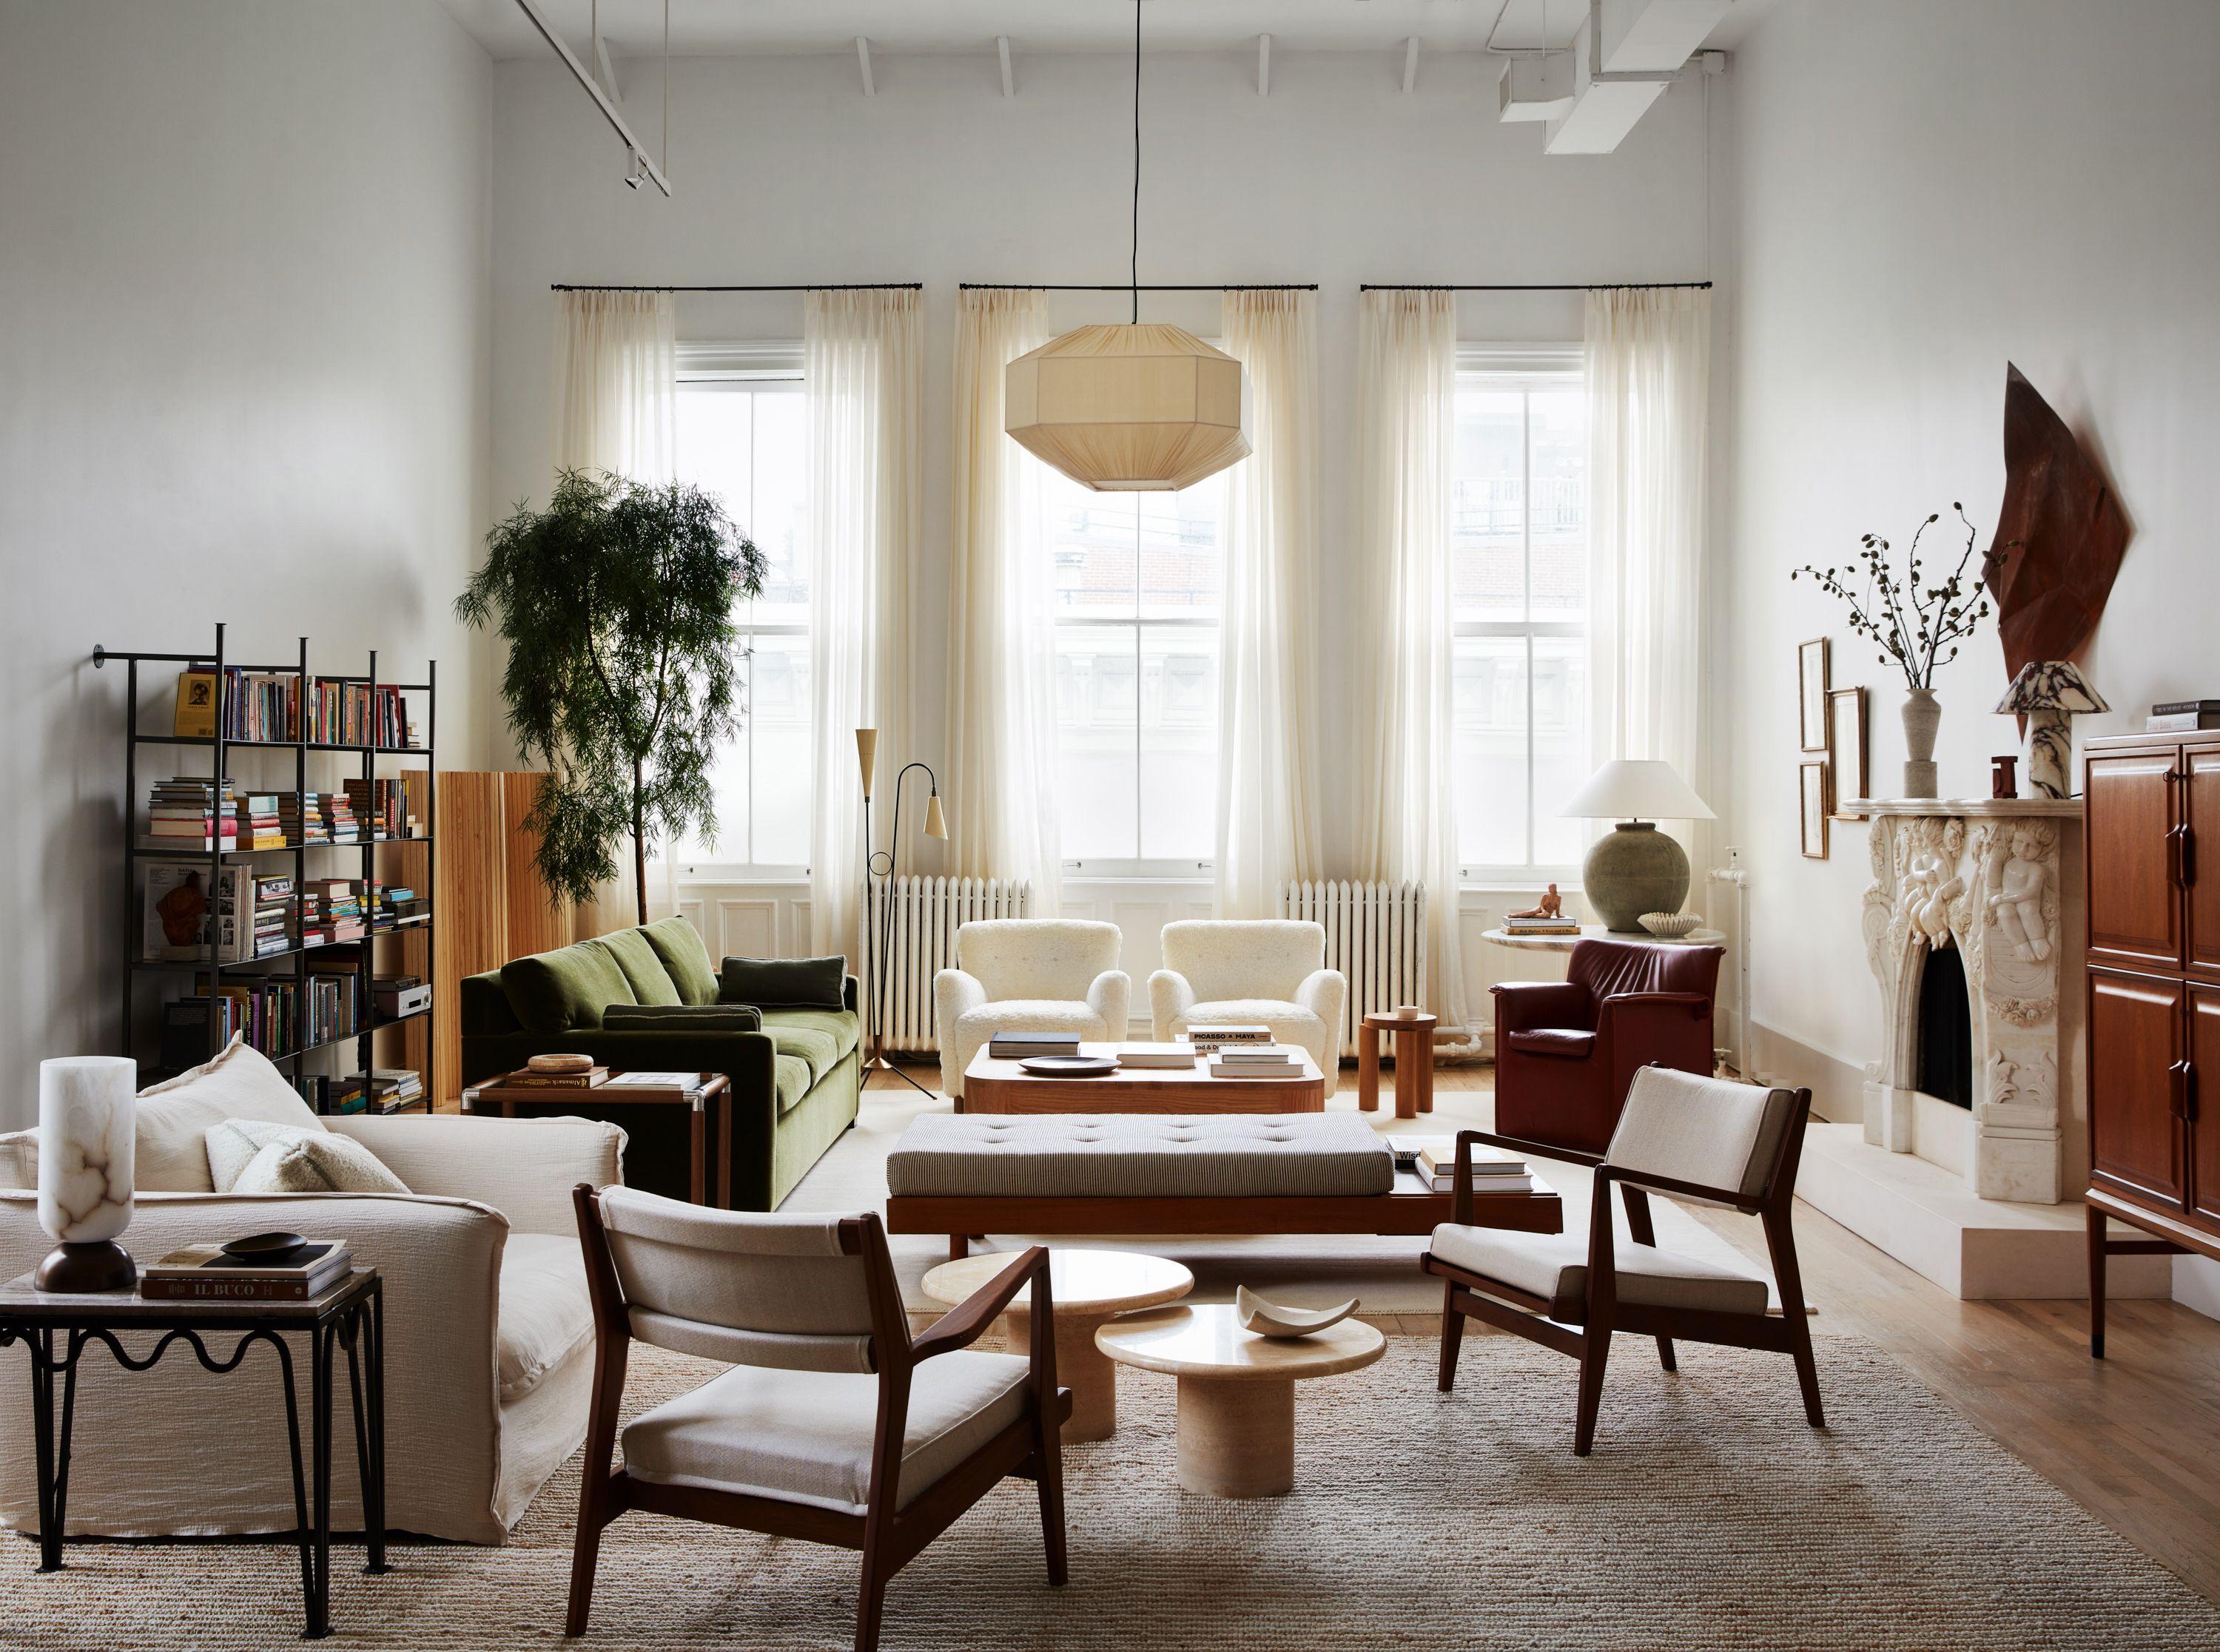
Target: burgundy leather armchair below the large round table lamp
<point>1566,1051</point>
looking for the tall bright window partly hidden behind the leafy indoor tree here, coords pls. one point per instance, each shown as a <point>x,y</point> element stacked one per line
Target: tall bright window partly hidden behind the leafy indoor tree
<point>743,434</point>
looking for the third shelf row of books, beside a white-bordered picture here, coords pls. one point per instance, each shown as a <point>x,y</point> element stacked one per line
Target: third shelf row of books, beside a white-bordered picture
<point>181,925</point>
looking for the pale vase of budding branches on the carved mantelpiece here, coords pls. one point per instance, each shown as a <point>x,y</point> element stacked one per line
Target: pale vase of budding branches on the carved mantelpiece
<point>1915,623</point>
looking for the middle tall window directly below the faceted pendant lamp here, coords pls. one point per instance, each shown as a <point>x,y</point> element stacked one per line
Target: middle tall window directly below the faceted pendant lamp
<point>1138,590</point>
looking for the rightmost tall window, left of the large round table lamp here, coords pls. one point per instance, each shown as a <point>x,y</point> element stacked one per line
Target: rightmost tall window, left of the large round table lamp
<point>1520,554</point>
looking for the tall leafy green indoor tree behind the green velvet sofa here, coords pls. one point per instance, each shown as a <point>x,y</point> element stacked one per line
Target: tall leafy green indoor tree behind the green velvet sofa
<point>623,674</point>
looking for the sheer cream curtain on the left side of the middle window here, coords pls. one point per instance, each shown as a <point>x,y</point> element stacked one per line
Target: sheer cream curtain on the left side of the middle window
<point>1002,672</point>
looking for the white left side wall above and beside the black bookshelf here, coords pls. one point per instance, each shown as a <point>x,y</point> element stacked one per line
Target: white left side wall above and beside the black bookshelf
<point>243,376</point>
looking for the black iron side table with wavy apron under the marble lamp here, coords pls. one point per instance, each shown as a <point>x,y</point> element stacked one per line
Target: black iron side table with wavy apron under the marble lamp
<point>59,1329</point>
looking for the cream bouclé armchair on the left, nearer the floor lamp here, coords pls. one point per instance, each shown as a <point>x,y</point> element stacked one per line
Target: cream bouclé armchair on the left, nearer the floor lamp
<point>1029,976</point>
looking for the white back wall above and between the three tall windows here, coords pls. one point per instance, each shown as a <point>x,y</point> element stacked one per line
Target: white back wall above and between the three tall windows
<point>787,174</point>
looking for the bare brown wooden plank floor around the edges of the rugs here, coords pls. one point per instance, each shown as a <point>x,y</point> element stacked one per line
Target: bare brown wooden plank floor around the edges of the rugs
<point>2132,1438</point>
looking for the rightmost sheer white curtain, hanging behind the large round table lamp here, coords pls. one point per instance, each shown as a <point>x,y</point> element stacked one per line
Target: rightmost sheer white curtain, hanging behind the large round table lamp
<point>1648,356</point>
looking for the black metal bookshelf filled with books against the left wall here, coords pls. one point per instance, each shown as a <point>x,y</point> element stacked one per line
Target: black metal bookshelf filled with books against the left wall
<point>245,867</point>
